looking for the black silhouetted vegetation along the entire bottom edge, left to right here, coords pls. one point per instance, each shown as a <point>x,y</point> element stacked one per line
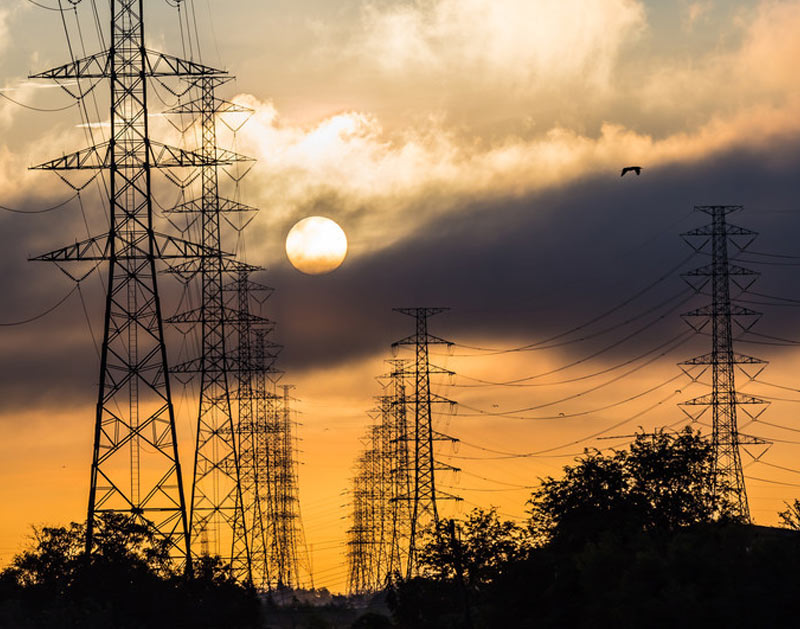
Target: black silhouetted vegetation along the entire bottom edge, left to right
<point>634,538</point>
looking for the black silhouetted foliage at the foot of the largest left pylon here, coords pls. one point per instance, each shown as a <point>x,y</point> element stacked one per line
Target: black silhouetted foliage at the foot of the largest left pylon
<point>126,581</point>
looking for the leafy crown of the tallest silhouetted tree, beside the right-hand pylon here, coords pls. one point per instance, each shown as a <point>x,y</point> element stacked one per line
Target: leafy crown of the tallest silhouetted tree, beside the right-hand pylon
<point>662,483</point>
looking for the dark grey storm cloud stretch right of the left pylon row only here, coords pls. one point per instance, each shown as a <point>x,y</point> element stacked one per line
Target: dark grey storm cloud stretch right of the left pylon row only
<point>521,269</point>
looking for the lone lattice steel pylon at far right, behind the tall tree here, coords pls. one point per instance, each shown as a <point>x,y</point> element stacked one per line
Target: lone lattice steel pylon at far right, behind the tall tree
<point>724,399</point>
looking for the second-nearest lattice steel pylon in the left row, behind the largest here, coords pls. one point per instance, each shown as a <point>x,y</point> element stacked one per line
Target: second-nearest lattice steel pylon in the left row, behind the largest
<point>216,485</point>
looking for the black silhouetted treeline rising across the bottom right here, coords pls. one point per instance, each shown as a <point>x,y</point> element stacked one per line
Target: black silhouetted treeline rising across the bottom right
<point>635,538</point>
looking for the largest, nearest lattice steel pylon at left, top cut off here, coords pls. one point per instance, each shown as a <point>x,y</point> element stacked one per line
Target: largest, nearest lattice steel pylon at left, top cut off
<point>135,465</point>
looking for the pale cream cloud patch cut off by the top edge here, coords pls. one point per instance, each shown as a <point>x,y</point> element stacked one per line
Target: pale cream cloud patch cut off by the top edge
<point>516,40</point>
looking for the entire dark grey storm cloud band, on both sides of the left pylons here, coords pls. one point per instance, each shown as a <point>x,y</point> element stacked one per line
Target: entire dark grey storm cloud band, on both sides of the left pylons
<point>512,270</point>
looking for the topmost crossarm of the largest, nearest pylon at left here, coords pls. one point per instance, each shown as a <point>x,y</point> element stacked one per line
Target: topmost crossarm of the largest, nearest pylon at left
<point>157,64</point>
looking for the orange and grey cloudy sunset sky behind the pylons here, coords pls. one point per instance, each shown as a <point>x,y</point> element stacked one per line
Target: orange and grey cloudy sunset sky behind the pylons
<point>471,152</point>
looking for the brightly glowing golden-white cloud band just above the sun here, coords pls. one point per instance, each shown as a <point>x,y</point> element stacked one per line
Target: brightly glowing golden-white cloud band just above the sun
<point>384,186</point>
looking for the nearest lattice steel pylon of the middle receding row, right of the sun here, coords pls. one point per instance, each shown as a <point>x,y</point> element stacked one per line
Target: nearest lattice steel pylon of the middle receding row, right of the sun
<point>424,509</point>
